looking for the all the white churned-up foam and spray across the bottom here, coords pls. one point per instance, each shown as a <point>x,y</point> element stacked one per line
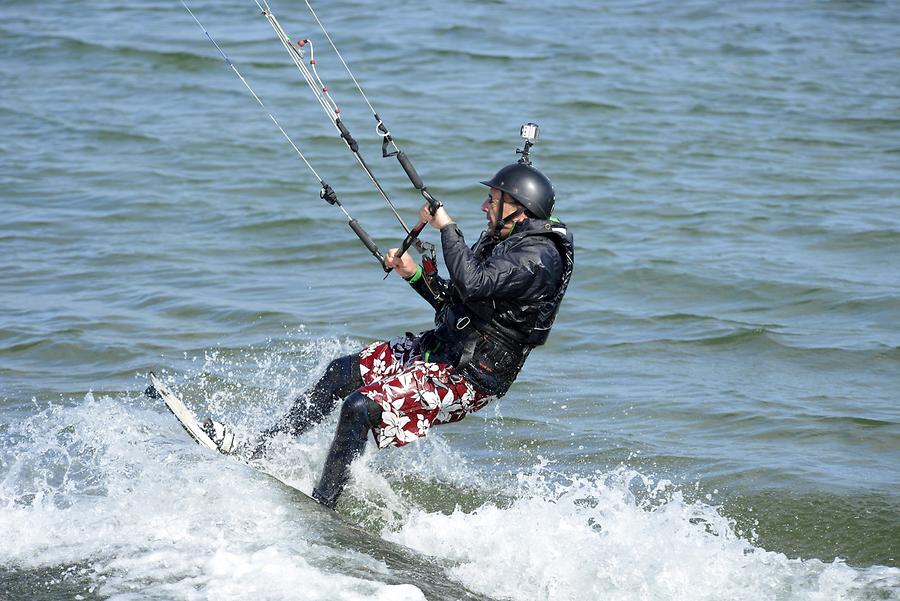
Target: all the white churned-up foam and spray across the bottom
<point>110,491</point>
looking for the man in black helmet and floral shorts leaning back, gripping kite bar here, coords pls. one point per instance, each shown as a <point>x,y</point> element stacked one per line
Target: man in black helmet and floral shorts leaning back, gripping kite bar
<point>499,303</point>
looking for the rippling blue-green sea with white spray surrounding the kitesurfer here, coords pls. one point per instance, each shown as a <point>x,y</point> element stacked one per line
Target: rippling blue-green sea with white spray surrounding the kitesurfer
<point>716,415</point>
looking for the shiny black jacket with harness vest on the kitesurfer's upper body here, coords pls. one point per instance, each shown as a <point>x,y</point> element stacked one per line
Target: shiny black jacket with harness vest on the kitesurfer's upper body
<point>500,301</point>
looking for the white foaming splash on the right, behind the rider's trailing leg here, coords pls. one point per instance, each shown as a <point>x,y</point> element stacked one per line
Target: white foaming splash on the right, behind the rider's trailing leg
<point>620,535</point>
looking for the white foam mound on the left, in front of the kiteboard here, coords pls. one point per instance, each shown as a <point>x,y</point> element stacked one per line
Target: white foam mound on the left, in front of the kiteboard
<point>117,488</point>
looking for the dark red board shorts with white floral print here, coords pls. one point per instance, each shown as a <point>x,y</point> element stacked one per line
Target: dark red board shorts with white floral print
<point>412,393</point>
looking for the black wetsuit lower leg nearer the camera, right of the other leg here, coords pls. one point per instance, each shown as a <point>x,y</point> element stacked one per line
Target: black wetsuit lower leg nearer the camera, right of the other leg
<point>358,415</point>
